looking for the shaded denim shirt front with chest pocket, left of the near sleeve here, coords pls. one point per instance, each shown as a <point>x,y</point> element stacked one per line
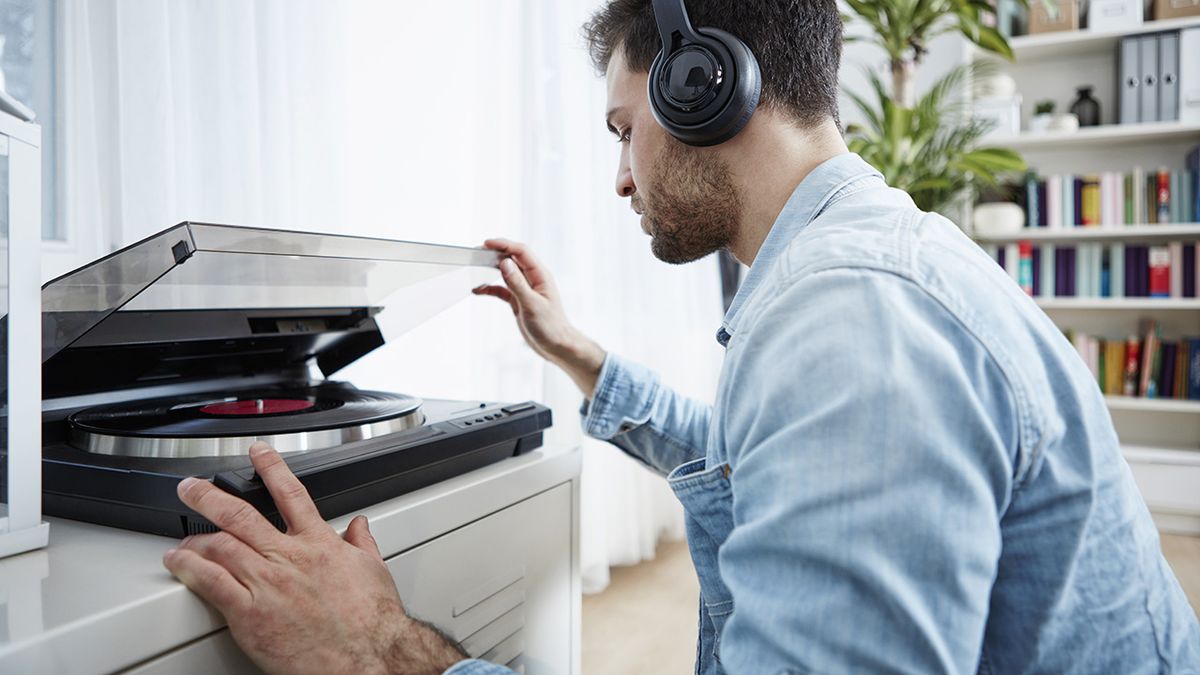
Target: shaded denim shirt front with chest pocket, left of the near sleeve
<point>709,506</point>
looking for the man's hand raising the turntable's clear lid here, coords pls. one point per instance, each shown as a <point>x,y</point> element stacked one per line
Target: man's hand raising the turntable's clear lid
<point>530,290</point>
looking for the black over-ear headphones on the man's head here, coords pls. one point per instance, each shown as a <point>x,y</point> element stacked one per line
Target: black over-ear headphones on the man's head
<point>705,85</point>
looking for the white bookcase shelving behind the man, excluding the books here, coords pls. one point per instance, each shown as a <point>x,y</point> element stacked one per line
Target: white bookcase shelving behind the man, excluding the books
<point>1161,438</point>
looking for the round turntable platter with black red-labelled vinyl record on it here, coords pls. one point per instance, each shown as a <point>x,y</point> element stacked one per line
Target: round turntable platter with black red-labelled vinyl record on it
<point>291,420</point>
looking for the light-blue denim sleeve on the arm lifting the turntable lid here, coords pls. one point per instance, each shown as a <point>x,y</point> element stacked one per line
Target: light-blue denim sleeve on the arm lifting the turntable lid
<point>634,411</point>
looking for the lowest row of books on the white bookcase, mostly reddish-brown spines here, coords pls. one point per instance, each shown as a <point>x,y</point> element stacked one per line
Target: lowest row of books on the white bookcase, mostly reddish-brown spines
<point>1143,366</point>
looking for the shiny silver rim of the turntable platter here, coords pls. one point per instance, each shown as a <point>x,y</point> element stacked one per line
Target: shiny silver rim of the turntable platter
<point>239,446</point>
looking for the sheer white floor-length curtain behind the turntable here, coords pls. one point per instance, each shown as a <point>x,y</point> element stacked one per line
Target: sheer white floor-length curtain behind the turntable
<point>441,122</point>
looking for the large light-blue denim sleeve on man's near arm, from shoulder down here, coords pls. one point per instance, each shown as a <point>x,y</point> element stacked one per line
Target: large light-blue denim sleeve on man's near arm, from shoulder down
<point>869,469</point>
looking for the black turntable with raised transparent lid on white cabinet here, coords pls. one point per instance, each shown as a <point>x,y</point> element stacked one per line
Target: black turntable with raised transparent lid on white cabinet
<point>171,357</point>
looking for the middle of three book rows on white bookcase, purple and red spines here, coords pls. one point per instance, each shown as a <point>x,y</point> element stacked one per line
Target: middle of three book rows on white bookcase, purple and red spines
<point>1102,271</point>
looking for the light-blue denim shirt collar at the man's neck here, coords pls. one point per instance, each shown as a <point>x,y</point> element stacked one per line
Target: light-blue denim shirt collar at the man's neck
<point>821,188</point>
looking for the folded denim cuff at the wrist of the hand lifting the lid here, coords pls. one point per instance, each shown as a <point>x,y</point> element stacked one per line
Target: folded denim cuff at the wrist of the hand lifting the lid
<point>622,402</point>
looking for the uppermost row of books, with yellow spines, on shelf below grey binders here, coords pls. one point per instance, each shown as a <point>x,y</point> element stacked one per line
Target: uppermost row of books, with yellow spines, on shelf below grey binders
<point>1113,199</point>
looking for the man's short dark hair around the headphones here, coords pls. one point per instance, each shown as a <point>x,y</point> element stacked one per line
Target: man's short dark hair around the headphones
<point>797,43</point>
